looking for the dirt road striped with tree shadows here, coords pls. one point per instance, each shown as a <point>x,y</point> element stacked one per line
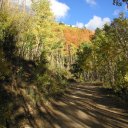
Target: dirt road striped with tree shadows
<point>88,106</point>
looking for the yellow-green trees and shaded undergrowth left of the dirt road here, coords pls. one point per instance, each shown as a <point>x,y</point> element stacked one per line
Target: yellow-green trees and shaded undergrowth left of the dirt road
<point>32,60</point>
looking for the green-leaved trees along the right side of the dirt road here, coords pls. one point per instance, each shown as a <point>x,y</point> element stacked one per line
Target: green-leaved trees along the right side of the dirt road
<point>105,58</point>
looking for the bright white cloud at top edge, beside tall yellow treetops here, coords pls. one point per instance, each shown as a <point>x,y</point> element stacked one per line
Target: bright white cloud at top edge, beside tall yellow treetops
<point>59,9</point>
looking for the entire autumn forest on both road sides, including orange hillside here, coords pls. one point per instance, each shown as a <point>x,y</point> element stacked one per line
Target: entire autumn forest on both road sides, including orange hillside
<point>40,57</point>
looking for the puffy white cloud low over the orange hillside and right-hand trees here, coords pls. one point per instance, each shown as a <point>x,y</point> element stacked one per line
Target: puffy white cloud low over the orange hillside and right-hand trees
<point>97,22</point>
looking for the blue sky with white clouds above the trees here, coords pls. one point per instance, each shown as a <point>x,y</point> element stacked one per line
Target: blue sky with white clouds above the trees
<point>88,13</point>
